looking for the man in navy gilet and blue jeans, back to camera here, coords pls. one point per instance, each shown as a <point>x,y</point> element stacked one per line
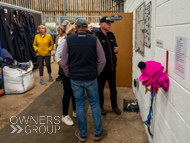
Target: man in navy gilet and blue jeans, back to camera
<point>83,59</point>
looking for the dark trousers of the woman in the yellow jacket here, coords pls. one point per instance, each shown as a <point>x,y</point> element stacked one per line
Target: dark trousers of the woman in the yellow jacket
<point>41,64</point>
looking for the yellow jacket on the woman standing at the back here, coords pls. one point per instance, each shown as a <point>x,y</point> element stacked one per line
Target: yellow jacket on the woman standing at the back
<point>43,46</point>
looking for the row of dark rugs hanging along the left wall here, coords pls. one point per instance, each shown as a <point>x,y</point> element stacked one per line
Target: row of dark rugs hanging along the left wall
<point>17,38</point>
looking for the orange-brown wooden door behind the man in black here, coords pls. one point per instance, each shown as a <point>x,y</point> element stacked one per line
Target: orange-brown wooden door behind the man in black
<point>122,30</point>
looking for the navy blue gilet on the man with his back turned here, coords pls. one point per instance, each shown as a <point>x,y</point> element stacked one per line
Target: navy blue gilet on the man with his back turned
<point>82,56</point>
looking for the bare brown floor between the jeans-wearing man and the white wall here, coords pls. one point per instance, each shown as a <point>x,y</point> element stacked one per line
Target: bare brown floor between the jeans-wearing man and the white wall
<point>125,128</point>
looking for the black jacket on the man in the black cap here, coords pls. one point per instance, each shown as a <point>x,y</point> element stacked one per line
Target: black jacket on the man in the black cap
<point>108,43</point>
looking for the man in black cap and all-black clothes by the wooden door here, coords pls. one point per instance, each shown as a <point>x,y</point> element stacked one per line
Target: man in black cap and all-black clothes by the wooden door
<point>109,44</point>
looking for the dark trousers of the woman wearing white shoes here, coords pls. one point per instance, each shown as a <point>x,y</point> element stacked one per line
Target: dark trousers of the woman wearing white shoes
<point>68,93</point>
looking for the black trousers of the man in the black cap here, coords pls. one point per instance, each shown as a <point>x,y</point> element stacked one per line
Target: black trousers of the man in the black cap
<point>110,76</point>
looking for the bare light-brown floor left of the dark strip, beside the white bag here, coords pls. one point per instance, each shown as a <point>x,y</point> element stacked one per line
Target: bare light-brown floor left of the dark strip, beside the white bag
<point>12,105</point>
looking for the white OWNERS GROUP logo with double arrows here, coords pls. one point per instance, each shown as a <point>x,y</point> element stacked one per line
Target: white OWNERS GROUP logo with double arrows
<point>37,125</point>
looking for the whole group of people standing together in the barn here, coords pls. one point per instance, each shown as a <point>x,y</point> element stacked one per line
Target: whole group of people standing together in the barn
<point>86,61</point>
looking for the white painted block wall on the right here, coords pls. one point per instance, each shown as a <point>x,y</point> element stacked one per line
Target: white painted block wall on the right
<point>171,119</point>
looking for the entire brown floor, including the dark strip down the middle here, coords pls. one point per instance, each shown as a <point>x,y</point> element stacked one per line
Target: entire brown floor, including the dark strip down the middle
<point>46,100</point>
